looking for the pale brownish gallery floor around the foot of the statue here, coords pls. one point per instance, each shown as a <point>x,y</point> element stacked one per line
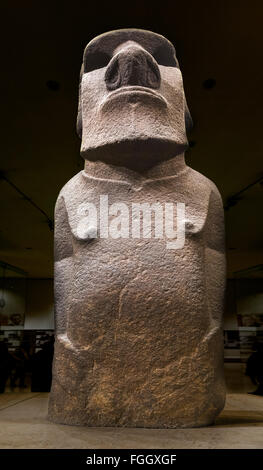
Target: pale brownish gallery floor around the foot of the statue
<point>23,424</point>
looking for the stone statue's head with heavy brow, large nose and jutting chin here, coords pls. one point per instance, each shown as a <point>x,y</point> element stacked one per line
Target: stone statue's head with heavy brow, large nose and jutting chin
<point>131,98</point>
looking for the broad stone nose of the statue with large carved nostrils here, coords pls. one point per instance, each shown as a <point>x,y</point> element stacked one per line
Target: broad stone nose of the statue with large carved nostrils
<point>132,66</point>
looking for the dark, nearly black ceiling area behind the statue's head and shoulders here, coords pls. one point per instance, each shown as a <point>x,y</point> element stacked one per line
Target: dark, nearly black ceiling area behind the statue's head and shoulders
<point>219,46</point>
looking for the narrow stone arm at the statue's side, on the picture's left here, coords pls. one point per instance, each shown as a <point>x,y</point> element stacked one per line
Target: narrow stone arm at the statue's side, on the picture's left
<point>63,252</point>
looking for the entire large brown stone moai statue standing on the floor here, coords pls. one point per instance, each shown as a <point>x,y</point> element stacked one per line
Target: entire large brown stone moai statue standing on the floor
<point>139,251</point>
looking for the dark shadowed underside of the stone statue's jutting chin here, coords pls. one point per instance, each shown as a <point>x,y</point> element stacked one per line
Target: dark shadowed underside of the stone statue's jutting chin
<point>137,154</point>
